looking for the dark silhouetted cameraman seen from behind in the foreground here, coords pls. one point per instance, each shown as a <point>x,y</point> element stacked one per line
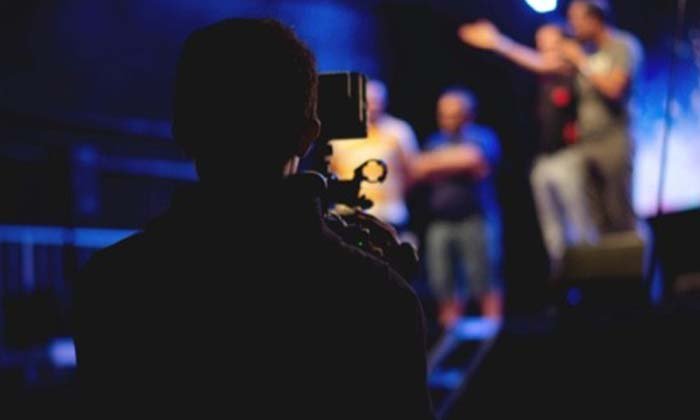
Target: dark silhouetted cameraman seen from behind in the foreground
<point>239,299</point>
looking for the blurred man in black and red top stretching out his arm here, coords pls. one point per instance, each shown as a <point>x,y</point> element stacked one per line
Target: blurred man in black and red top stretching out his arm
<point>558,175</point>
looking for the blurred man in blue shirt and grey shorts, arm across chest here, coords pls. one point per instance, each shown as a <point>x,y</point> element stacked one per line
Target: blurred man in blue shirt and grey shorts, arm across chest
<point>462,239</point>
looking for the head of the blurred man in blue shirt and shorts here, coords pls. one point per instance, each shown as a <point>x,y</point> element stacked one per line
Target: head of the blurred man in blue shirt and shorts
<point>455,109</point>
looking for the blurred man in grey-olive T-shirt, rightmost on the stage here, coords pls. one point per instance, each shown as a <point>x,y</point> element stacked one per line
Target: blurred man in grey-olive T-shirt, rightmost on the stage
<point>607,61</point>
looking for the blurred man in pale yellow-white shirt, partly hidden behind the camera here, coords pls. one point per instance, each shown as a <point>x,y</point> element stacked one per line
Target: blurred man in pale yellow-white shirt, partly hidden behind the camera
<point>388,139</point>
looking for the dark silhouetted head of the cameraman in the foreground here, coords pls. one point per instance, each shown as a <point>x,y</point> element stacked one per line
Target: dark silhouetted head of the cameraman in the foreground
<point>245,90</point>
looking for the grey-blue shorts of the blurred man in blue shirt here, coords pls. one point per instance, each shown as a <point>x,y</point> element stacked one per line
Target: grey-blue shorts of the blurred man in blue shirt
<point>465,250</point>
